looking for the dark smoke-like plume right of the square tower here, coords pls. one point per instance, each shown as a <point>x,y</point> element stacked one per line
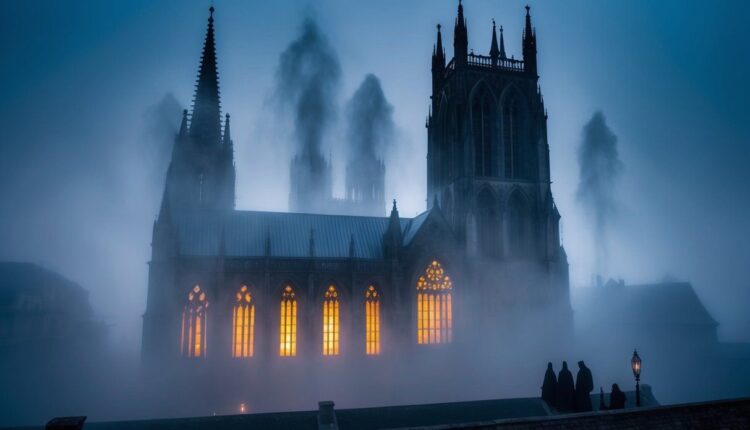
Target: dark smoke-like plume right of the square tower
<point>600,167</point>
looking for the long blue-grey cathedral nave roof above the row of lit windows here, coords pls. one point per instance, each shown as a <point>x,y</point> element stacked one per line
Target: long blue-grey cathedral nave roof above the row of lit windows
<point>246,233</point>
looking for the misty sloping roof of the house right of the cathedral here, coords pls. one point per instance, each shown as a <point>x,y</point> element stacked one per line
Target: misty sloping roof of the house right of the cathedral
<point>666,303</point>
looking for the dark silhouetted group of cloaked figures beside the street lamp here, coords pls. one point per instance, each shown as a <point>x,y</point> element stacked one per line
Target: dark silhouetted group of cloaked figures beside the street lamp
<point>560,393</point>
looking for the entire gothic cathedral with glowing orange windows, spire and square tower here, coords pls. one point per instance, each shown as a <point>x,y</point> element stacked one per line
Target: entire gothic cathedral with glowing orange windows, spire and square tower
<point>240,288</point>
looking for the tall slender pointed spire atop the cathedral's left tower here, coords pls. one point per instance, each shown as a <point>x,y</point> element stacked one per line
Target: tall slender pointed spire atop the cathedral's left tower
<point>205,125</point>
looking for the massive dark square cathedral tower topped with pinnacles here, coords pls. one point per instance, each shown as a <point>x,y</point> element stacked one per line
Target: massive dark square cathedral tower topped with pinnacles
<point>487,159</point>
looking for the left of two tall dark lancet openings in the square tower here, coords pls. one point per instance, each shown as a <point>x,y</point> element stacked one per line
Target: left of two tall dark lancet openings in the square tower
<point>483,133</point>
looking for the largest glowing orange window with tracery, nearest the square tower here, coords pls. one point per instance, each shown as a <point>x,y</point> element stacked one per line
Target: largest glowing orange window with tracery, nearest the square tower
<point>434,306</point>
